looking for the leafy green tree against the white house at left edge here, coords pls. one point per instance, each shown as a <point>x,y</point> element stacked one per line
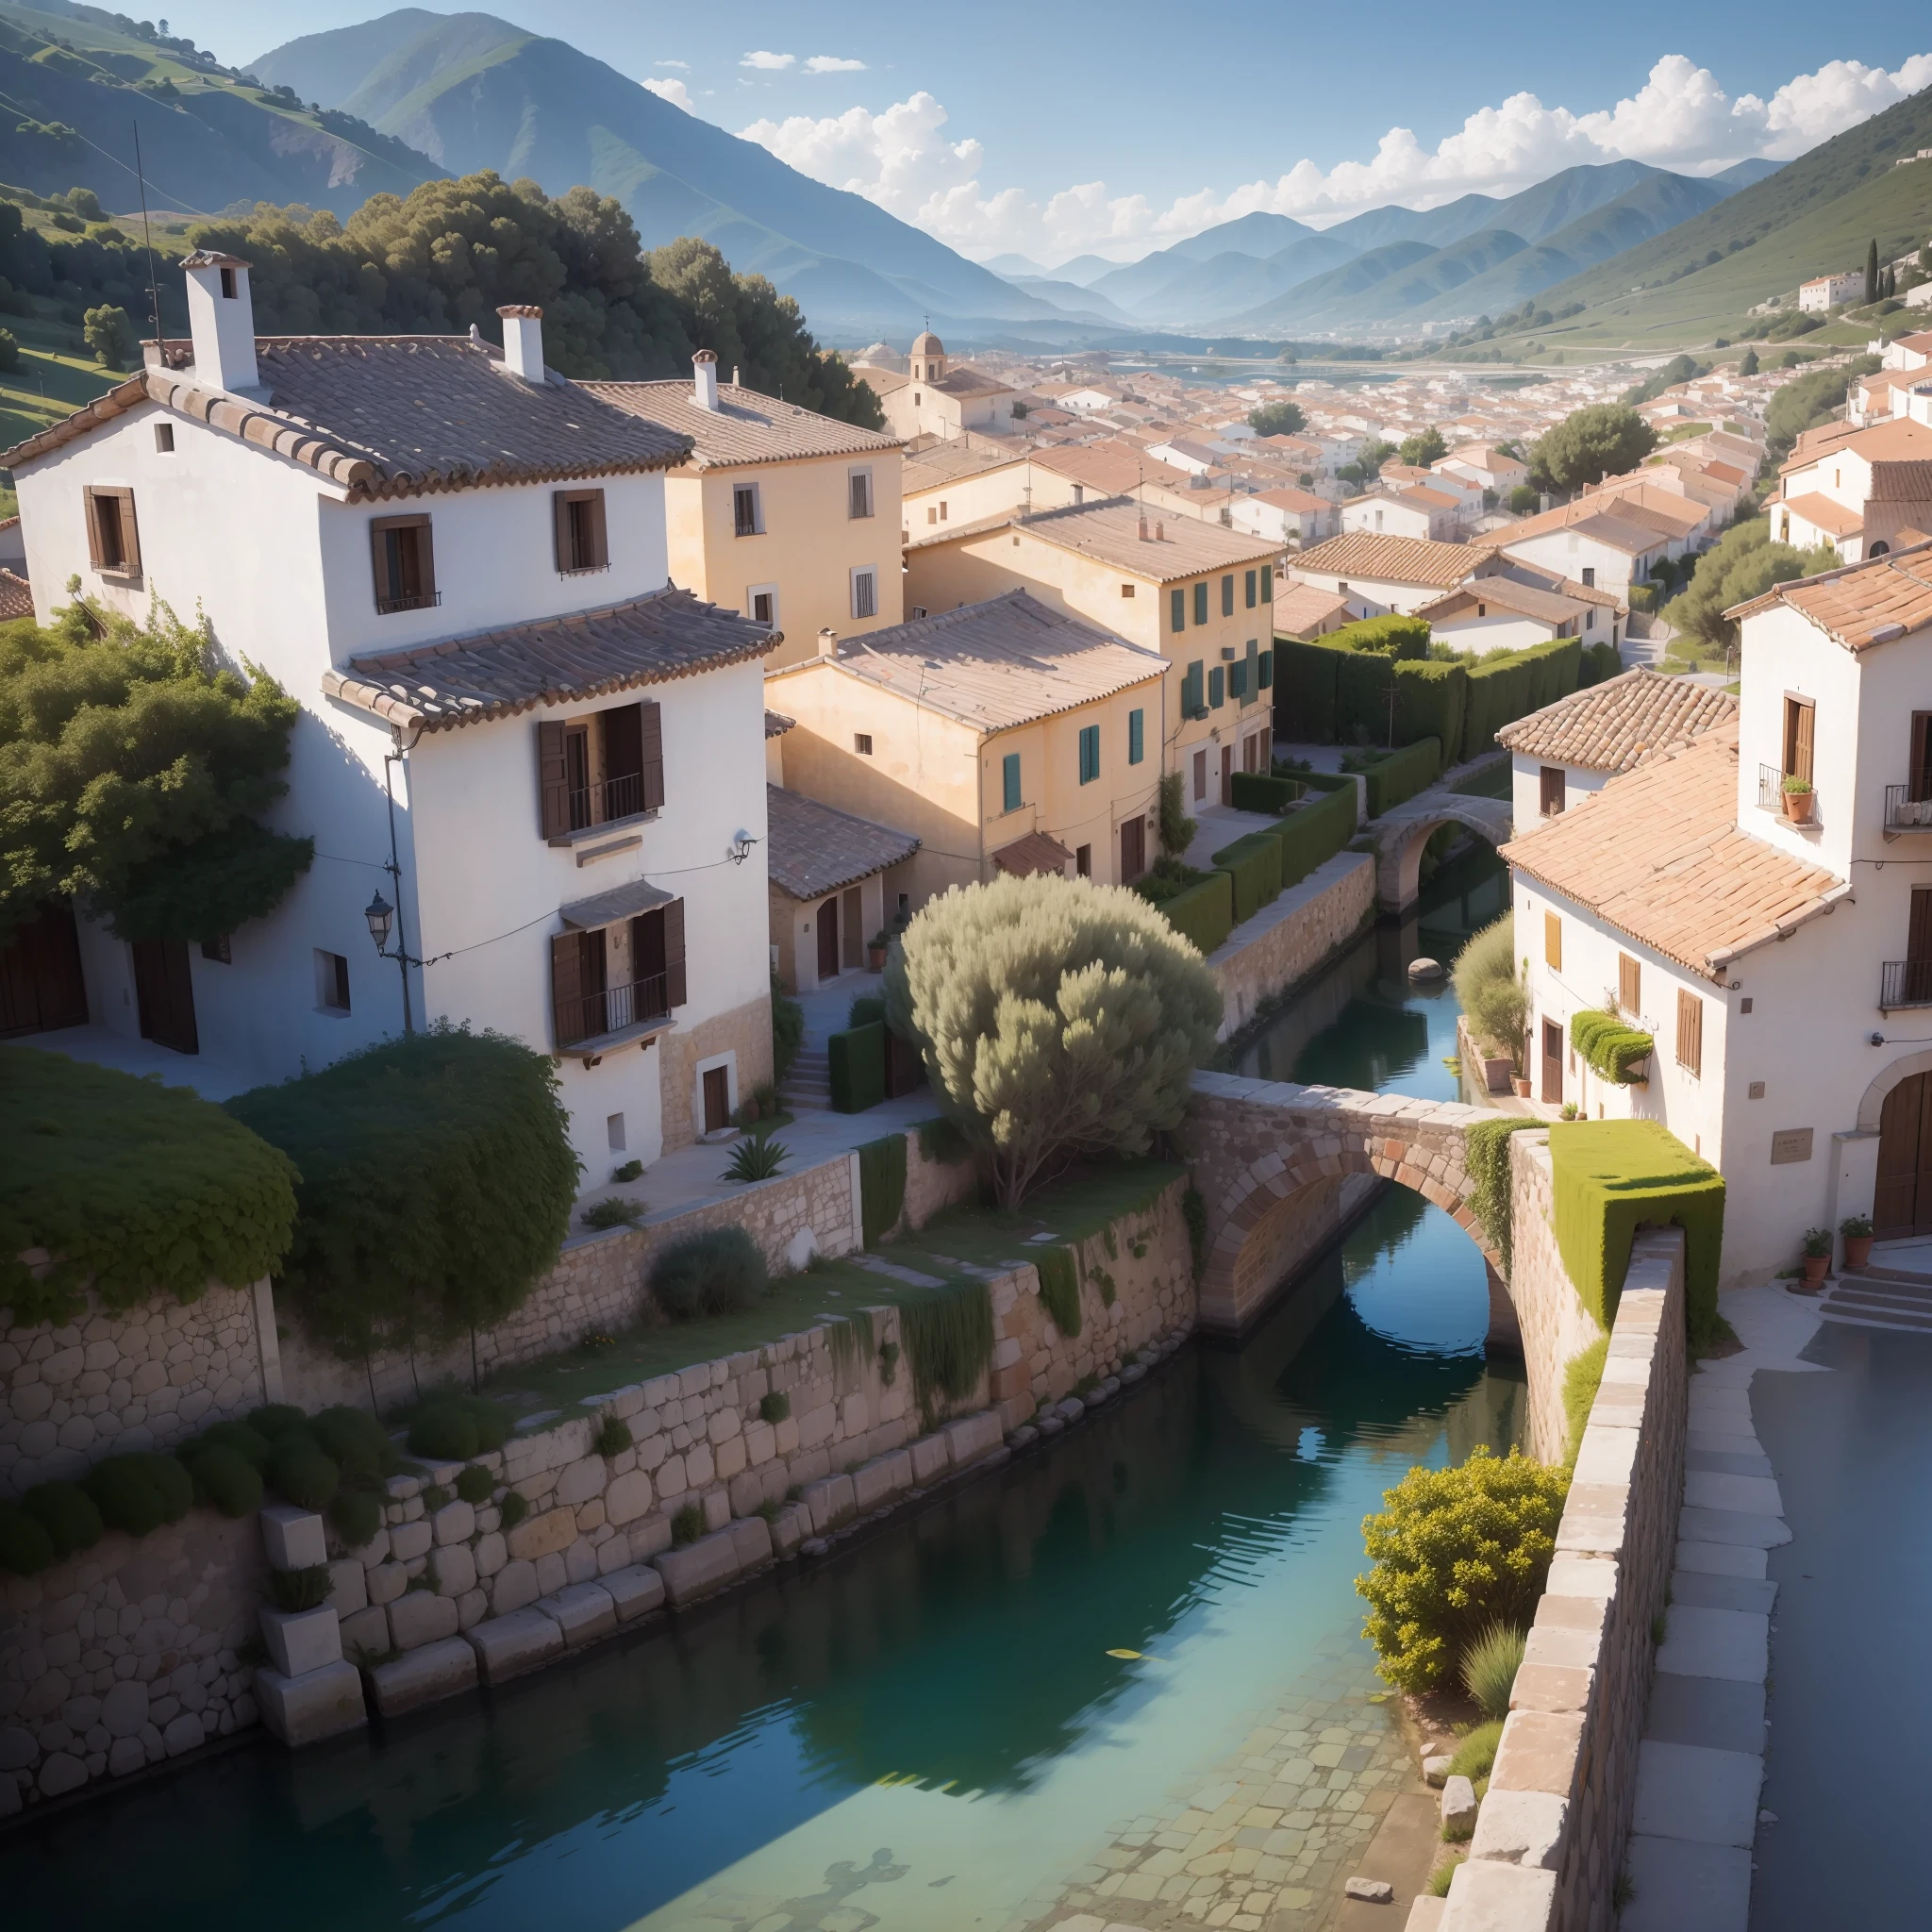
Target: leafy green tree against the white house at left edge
<point>134,768</point>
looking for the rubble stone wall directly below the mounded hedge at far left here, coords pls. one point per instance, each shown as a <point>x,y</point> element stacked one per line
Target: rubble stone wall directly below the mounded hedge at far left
<point>132,1378</point>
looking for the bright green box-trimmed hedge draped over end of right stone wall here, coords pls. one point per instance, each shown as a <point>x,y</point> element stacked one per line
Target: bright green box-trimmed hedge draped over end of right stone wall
<point>1614,1178</point>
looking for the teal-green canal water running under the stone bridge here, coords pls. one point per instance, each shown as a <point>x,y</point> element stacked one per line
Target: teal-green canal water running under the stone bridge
<point>973,1720</point>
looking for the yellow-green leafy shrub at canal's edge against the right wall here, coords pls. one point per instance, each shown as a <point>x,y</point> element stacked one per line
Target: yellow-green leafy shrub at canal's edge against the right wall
<point>1454,1552</point>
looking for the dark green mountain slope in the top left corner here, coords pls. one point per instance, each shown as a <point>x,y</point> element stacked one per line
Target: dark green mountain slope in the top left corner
<point>78,82</point>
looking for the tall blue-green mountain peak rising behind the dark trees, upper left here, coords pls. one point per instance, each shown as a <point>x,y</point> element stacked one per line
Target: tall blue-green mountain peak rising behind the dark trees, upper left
<point>474,92</point>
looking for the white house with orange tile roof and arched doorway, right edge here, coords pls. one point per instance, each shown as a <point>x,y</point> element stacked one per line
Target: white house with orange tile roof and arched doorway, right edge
<point>1782,967</point>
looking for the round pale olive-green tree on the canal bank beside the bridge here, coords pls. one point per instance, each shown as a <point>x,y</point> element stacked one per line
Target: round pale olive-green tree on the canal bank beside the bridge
<point>1058,1021</point>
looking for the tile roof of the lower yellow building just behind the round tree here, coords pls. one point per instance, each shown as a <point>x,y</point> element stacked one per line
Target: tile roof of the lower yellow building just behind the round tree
<point>994,666</point>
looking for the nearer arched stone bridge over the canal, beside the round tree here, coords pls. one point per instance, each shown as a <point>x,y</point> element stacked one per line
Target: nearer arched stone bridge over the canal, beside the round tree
<point>1282,1166</point>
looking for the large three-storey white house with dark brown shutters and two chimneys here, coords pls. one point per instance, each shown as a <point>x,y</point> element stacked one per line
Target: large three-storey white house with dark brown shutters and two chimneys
<point>513,727</point>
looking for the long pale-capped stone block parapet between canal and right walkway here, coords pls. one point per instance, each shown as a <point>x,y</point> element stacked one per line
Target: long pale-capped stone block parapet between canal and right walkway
<point>1552,1831</point>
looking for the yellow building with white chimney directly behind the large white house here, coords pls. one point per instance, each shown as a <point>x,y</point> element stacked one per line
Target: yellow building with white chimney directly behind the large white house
<point>780,513</point>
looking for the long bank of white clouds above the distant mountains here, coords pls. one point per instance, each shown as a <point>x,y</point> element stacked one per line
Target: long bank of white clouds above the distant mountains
<point>1680,119</point>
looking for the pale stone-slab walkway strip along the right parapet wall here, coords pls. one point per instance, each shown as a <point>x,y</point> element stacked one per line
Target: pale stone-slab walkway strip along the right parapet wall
<point>1701,1765</point>
